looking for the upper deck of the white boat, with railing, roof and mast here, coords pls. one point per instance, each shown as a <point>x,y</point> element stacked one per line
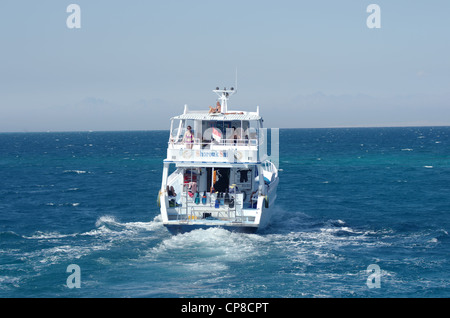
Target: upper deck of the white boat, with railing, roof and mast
<point>222,137</point>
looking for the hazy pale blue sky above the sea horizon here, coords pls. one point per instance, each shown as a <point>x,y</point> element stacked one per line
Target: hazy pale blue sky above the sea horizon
<point>134,64</point>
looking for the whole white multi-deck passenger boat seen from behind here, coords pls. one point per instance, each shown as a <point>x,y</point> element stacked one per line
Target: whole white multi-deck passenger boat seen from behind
<point>212,173</point>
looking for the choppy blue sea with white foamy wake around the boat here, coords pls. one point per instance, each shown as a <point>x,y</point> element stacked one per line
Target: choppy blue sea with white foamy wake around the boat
<point>347,199</point>
